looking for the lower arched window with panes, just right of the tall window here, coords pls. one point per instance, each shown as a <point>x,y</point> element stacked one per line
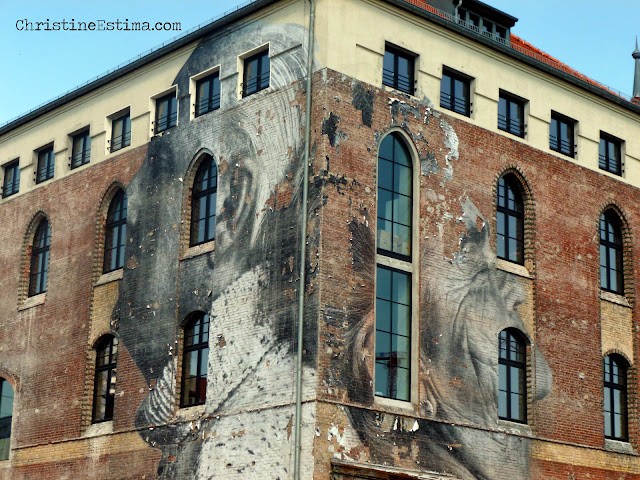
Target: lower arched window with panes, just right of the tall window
<point>512,377</point>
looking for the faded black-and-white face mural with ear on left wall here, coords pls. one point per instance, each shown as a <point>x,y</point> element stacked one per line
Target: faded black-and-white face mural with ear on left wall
<point>247,284</point>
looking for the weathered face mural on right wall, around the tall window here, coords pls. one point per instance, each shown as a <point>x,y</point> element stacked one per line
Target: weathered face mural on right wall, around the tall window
<point>465,301</point>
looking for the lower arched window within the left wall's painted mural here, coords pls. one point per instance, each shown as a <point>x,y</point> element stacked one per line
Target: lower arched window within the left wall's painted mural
<point>195,360</point>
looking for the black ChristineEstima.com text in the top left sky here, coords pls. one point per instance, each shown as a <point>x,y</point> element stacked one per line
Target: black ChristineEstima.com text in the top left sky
<point>74,25</point>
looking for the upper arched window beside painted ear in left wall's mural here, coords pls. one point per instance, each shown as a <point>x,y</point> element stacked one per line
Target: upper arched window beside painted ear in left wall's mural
<point>203,203</point>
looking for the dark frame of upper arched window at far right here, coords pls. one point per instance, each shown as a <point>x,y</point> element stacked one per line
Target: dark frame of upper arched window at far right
<point>611,218</point>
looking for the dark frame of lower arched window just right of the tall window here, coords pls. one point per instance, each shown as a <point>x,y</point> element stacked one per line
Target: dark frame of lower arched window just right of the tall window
<point>510,365</point>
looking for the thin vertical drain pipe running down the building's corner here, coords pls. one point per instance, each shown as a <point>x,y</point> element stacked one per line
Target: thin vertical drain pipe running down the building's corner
<point>303,248</point>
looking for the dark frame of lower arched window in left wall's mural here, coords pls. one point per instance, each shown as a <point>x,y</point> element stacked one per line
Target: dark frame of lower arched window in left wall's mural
<point>203,321</point>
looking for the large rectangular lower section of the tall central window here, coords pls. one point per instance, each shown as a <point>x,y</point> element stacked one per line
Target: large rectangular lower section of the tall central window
<point>393,334</point>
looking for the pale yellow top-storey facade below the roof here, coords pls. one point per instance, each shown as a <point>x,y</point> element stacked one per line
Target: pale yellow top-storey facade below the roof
<point>357,52</point>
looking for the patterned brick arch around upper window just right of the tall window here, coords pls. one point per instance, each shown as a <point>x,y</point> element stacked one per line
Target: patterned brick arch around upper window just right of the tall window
<point>529,213</point>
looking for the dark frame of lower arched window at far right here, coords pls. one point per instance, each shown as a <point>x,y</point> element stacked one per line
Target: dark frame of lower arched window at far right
<point>621,407</point>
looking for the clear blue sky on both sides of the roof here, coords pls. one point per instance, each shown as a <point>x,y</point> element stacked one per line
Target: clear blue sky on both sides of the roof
<point>593,37</point>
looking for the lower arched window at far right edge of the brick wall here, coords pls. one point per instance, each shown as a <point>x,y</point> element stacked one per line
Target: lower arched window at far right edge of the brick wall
<point>615,397</point>
